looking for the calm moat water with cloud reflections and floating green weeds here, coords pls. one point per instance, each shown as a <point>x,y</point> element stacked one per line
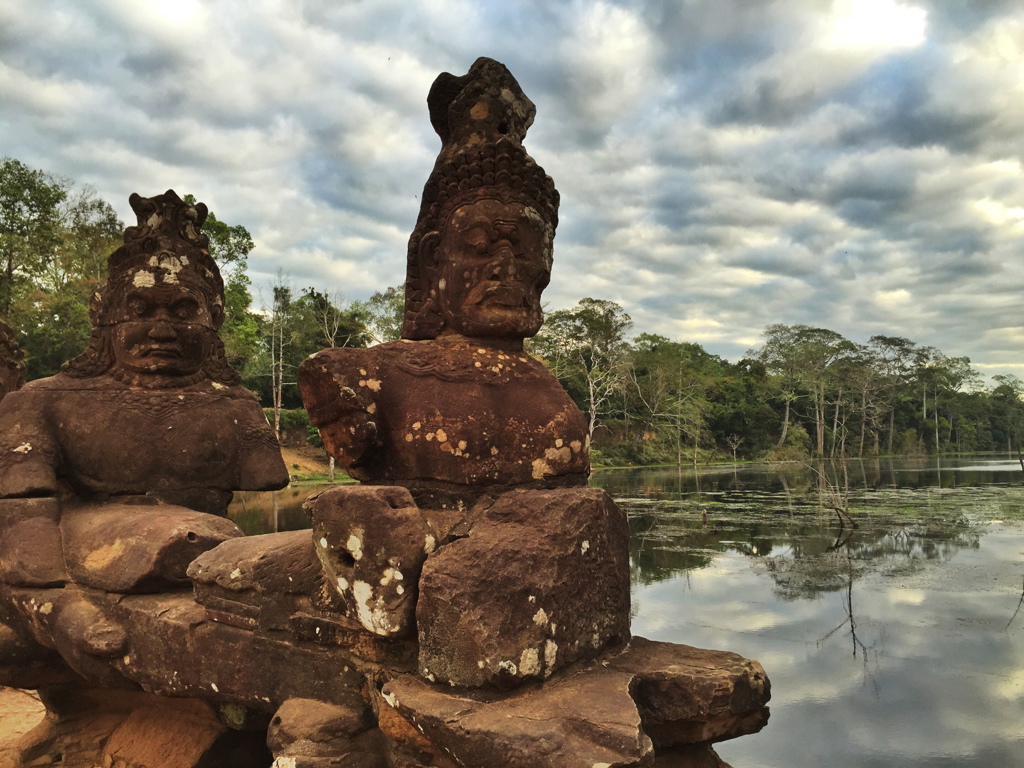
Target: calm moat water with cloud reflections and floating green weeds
<point>897,644</point>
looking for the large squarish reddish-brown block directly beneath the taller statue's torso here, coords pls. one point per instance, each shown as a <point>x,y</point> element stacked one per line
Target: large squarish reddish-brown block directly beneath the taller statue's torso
<point>541,582</point>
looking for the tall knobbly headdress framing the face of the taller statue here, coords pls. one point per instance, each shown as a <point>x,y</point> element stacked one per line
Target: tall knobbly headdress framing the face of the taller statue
<point>482,118</point>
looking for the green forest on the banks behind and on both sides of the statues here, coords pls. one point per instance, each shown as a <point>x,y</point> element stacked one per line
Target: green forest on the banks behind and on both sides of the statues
<point>802,393</point>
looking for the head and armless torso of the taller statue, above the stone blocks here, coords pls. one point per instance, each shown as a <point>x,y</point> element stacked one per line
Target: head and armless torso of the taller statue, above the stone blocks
<point>457,409</point>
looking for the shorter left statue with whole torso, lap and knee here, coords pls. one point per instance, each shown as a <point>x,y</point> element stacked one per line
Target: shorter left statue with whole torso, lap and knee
<point>110,471</point>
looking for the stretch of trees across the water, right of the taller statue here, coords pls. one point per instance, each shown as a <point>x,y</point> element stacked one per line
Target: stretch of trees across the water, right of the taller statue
<point>802,393</point>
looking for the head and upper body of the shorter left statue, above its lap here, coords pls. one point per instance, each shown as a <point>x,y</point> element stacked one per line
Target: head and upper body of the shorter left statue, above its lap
<point>154,383</point>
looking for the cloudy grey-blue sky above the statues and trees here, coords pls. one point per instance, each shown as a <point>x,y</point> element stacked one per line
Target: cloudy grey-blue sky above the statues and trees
<point>723,164</point>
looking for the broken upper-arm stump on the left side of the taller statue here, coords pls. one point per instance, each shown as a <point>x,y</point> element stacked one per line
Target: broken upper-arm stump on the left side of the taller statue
<point>338,389</point>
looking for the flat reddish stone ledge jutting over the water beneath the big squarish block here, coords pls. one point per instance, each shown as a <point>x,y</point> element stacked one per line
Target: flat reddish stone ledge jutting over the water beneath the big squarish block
<point>650,705</point>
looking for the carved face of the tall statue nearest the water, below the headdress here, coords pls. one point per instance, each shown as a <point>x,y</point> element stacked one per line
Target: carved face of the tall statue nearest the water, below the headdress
<point>495,261</point>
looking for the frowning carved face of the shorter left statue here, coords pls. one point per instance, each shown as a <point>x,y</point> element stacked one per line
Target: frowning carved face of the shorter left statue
<point>163,330</point>
